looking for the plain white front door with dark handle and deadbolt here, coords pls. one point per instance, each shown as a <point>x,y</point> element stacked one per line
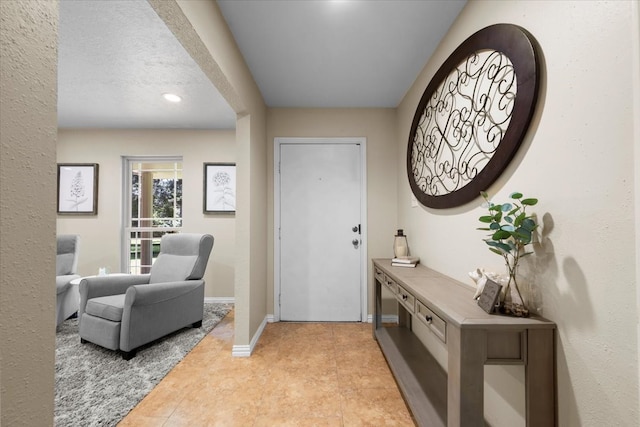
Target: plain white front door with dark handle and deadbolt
<point>320,240</point>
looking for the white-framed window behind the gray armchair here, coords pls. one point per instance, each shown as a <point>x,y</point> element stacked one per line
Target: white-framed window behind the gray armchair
<point>152,208</point>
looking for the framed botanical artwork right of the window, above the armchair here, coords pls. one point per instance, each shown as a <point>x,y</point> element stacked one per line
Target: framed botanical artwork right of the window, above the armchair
<point>219,188</point>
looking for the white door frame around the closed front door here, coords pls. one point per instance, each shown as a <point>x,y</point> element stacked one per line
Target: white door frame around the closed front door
<point>362,141</point>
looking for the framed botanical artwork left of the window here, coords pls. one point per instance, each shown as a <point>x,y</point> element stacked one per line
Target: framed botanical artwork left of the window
<point>78,188</point>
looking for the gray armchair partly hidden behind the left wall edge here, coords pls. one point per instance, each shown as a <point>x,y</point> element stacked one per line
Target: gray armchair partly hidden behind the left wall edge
<point>67,296</point>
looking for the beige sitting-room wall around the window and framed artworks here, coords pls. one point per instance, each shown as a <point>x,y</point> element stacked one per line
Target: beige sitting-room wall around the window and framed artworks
<point>100,234</point>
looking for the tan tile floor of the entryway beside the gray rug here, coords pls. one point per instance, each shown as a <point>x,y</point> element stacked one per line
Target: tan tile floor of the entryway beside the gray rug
<point>300,374</point>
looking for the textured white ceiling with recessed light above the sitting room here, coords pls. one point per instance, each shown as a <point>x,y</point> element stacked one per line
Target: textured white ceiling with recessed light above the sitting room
<point>117,58</point>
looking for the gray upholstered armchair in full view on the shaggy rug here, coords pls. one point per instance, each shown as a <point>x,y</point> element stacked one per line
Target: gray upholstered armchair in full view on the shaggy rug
<point>124,312</point>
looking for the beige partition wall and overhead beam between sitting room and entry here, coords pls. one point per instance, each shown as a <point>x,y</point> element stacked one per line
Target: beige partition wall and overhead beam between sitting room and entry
<point>207,38</point>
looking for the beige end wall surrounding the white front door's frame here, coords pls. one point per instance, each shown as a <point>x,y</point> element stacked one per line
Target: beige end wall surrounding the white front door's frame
<point>378,126</point>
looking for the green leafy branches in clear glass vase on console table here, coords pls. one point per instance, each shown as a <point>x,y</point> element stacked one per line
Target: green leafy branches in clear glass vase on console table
<point>510,230</point>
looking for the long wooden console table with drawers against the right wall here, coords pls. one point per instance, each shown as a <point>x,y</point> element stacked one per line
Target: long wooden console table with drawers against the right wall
<point>473,339</point>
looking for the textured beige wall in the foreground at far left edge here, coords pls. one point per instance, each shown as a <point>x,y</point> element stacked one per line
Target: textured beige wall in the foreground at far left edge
<point>28,52</point>
